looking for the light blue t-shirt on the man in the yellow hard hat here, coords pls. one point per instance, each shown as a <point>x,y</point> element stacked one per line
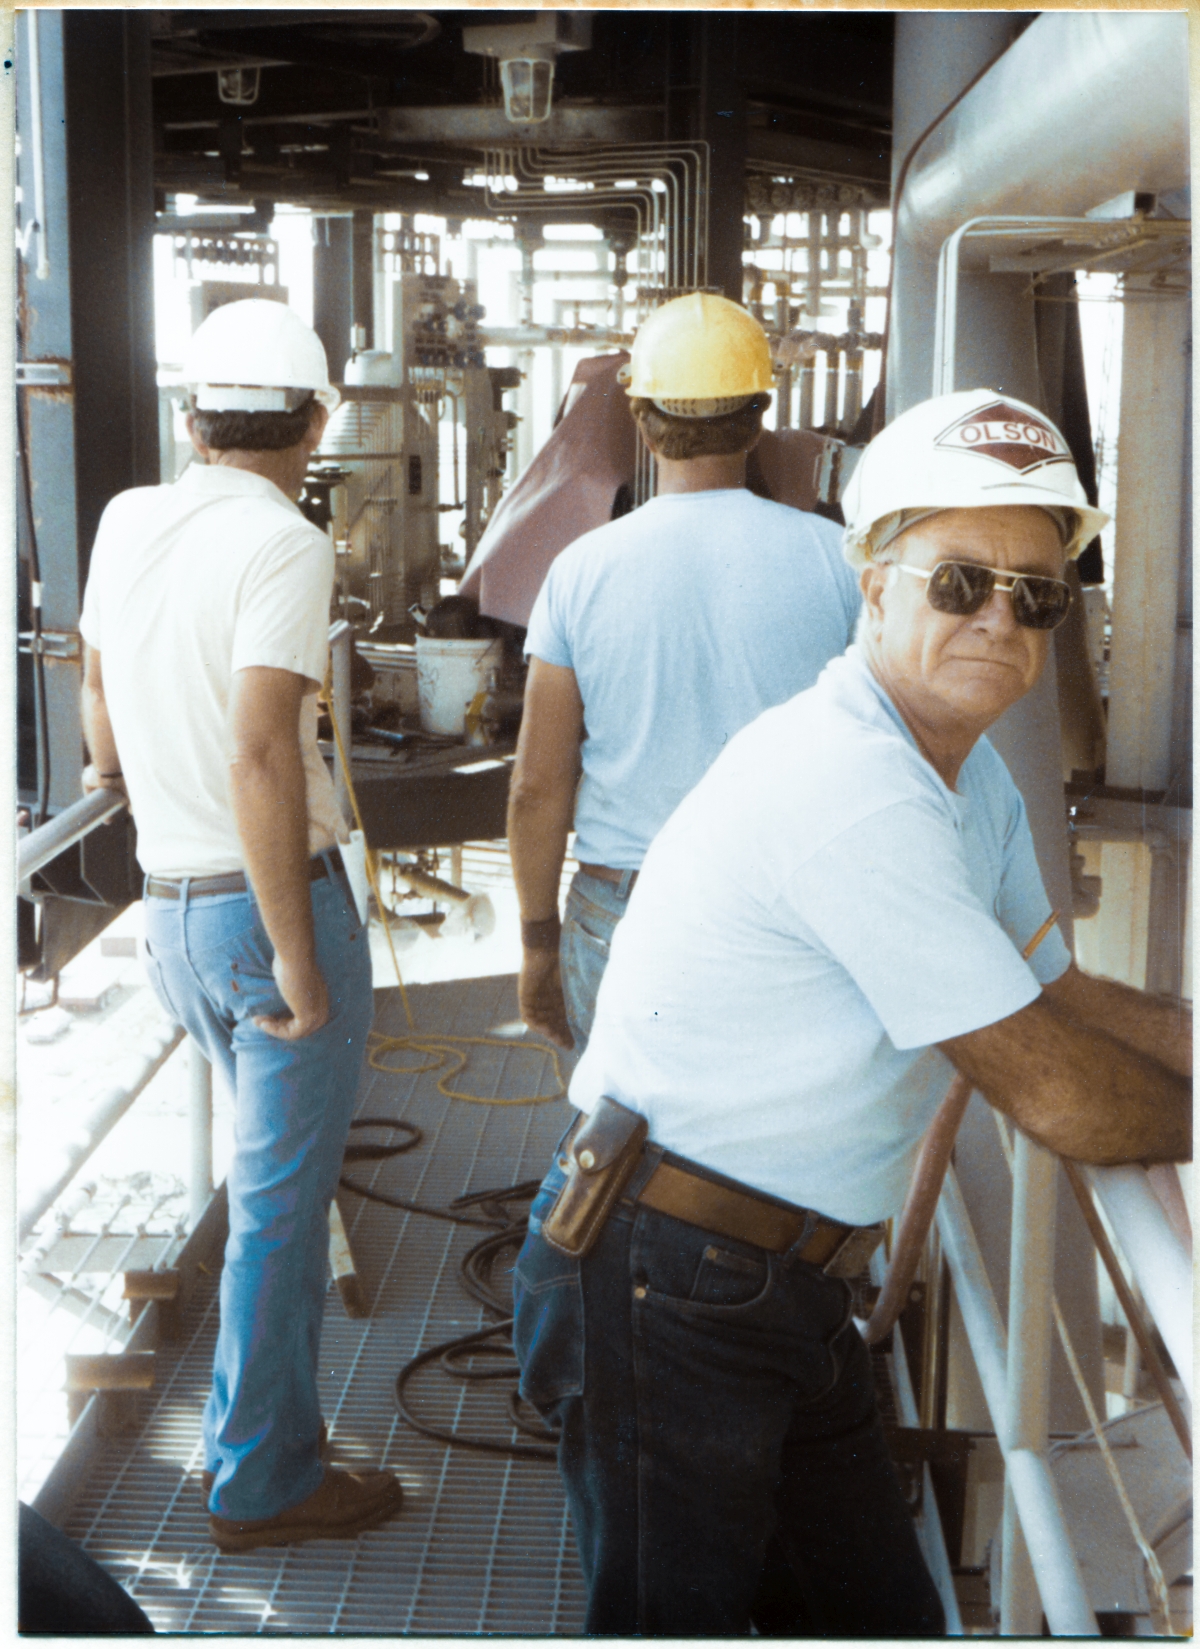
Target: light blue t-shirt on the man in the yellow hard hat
<point>683,622</point>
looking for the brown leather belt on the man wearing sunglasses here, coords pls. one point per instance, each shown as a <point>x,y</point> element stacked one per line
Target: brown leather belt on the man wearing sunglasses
<point>746,1218</point>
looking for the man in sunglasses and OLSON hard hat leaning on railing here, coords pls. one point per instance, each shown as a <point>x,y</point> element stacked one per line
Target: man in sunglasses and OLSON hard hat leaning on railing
<point>830,924</point>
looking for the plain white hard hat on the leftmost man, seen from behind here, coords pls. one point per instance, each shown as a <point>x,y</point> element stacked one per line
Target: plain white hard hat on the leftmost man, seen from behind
<point>251,357</point>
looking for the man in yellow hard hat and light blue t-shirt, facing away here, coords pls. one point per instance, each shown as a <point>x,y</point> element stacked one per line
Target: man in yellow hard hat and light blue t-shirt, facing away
<point>654,641</point>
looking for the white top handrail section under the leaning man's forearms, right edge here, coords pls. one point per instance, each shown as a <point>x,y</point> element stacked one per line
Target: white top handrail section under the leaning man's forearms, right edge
<point>1161,1264</point>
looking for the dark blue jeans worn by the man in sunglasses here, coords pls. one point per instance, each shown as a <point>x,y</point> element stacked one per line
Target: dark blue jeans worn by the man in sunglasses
<point>721,1447</point>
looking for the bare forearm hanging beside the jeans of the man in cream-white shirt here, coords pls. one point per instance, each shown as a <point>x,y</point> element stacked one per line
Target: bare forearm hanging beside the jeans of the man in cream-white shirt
<point>271,812</point>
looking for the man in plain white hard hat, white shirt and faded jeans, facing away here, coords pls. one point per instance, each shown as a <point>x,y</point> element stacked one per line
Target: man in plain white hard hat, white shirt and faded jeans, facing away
<point>207,624</point>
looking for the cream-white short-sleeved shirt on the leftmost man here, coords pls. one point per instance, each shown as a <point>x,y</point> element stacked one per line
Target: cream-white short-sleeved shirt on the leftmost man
<point>189,585</point>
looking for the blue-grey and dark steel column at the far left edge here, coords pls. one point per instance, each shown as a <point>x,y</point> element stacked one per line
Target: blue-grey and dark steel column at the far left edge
<point>85,303</point>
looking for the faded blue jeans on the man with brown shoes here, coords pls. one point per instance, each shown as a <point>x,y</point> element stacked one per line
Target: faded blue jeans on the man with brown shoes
<point>210,965</point>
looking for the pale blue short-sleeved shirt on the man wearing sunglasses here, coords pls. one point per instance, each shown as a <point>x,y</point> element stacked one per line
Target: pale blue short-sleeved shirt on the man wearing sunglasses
<point>813,918</point>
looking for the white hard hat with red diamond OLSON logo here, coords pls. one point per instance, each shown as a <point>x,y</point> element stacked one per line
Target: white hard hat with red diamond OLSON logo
<point>967,451</point>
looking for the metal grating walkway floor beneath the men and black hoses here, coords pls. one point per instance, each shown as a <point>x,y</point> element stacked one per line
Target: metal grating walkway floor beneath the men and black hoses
<point>484,1543</point>
